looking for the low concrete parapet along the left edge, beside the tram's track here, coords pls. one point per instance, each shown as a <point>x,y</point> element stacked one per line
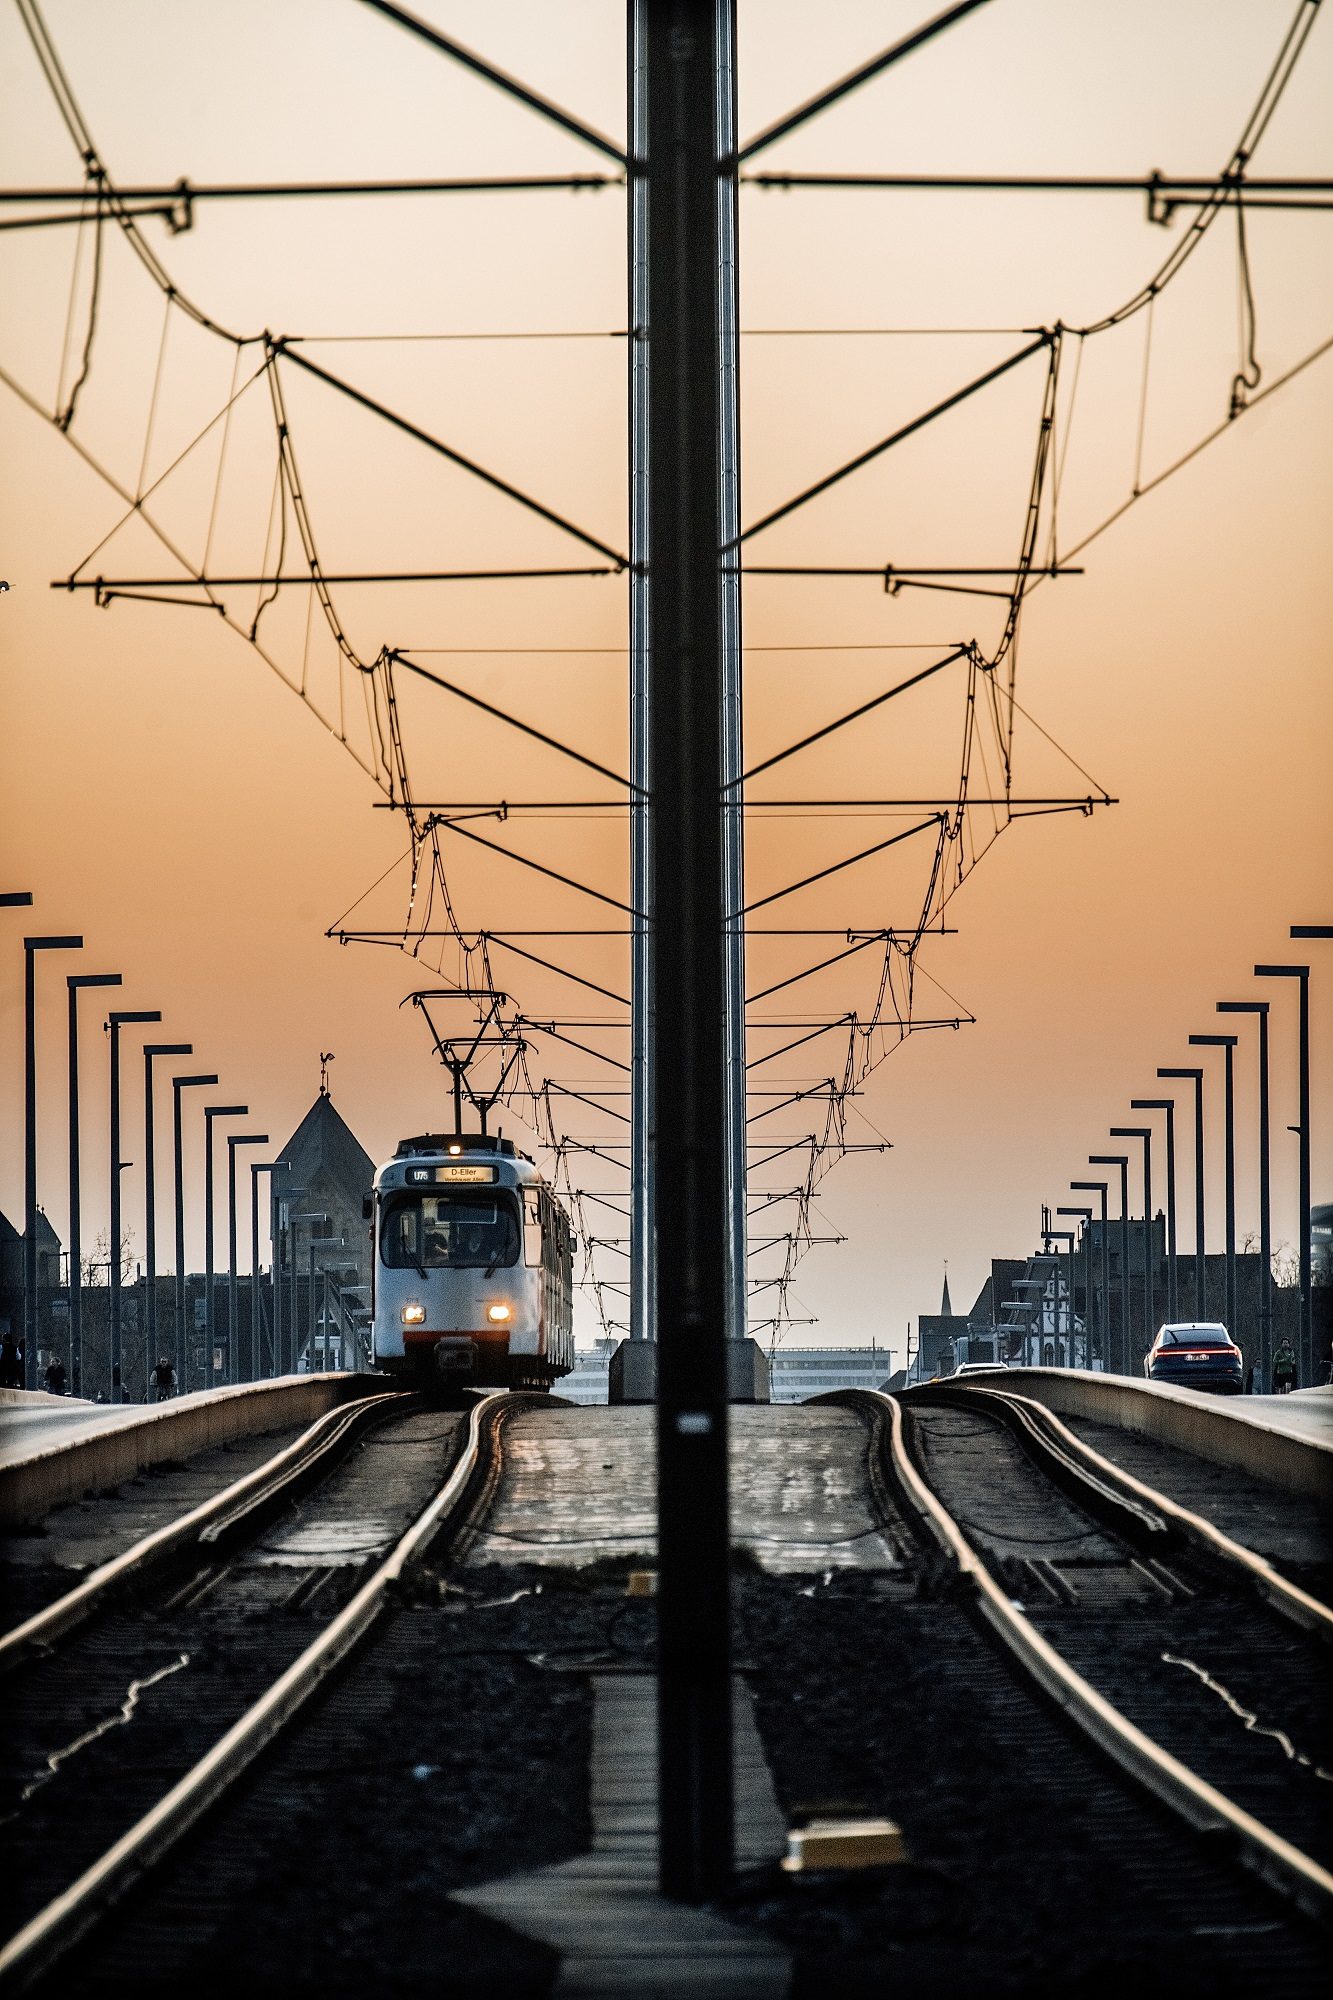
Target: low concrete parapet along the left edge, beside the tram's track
<point>179,1429</point>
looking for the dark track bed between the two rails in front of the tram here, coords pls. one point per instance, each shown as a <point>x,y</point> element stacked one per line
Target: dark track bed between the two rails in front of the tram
<point>101,1731</point>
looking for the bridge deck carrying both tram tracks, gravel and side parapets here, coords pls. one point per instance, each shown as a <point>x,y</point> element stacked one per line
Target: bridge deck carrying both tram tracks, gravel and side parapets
<point>1026,1669</point>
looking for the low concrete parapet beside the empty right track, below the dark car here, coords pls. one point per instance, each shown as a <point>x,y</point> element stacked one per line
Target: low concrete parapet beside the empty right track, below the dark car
<point>1224,1431</point>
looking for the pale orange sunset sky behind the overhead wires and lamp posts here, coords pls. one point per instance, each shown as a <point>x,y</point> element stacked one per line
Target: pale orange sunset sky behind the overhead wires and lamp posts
<point>175,799</point>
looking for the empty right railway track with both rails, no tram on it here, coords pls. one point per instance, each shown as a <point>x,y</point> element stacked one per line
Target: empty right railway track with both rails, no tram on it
<point>1190,1661</point>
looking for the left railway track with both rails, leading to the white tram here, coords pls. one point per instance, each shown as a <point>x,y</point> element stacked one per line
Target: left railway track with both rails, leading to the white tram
<point>143,1697</point>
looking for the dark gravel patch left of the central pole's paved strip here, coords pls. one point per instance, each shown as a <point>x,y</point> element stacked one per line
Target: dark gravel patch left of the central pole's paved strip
<point>453,1749</point>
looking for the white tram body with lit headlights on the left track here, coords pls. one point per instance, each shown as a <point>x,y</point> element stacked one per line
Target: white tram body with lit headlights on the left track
<point>473,1265</point>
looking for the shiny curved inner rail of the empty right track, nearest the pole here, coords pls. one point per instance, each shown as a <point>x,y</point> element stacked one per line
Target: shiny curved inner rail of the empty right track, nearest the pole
<point>1264,1853</point>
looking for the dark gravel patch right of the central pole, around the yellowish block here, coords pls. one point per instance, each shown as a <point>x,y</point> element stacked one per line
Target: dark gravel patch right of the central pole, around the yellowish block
<point>1036,1869</point>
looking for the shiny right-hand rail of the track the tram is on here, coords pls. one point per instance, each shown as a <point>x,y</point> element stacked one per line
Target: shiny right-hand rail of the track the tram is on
<point>69,1917</point>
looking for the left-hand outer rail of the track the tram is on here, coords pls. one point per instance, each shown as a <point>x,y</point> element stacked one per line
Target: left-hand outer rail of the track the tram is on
<point>281,1475</point>
